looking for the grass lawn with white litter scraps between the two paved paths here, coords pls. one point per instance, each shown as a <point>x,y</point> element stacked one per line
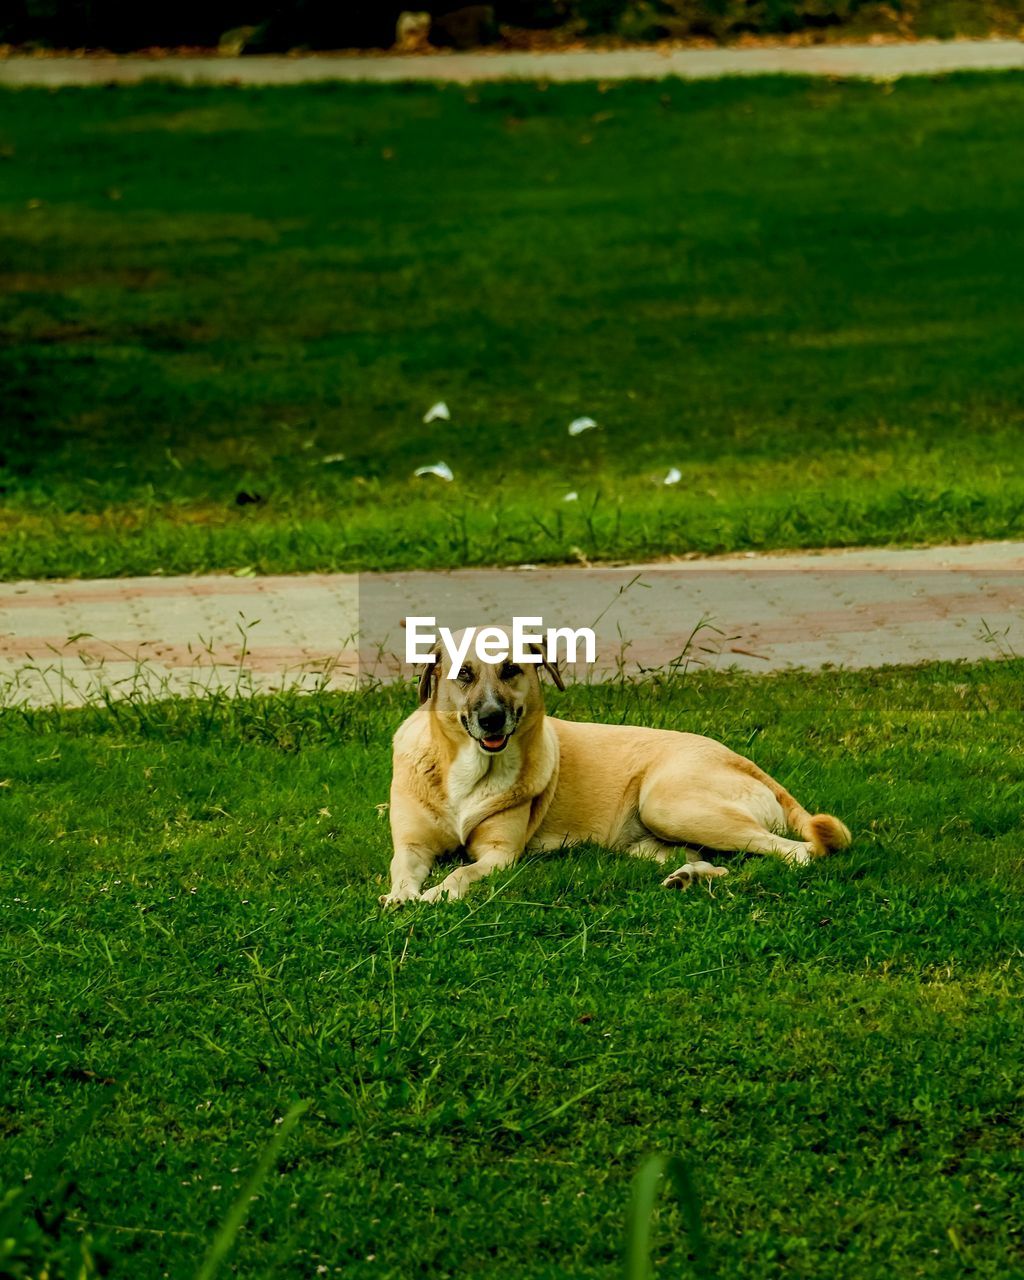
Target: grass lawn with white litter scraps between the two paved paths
<point>807,296</point>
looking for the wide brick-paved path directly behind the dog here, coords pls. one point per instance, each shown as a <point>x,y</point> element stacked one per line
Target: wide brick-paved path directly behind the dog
<point>72,642</point>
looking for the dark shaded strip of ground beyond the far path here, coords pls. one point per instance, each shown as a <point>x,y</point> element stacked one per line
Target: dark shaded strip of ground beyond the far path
<point>262,26</point>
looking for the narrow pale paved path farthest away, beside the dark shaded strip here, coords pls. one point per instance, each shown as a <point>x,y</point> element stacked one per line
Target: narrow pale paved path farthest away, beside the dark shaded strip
<point>876,62</point>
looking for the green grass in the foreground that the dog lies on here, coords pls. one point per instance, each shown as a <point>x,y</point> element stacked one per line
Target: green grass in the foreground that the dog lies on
<point>191,943</point>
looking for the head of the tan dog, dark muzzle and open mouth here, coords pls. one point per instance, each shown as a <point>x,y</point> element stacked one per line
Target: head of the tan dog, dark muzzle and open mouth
<point>487,701</point>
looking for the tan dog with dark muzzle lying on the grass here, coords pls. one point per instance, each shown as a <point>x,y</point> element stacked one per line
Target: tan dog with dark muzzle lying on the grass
<point>481,767</point>
